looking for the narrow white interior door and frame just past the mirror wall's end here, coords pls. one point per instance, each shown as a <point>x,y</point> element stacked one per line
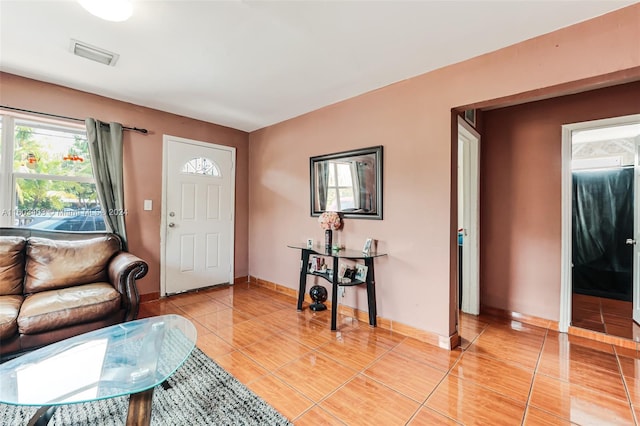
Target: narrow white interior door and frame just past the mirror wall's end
<point>469,188</point>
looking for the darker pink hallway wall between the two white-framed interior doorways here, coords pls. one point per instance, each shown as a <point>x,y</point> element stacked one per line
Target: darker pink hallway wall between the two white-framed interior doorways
<point>521,196</point>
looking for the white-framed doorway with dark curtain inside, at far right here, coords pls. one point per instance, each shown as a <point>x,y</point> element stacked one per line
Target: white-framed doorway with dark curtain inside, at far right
<point>600,211</point>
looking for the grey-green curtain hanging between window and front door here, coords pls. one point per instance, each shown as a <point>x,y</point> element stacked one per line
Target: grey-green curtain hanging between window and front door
<point>105,147</point>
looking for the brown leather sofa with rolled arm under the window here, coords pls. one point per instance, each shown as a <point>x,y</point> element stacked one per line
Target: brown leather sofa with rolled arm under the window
<point>55,285</point>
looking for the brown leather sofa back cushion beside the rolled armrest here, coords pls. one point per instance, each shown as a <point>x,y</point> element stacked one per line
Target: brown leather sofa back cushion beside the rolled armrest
<point>53,264</point>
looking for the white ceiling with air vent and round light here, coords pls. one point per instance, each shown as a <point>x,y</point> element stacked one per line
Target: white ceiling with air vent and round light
<point>250,64</point>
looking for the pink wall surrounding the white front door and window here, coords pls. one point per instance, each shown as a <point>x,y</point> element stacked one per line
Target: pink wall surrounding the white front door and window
<point>143,159</point>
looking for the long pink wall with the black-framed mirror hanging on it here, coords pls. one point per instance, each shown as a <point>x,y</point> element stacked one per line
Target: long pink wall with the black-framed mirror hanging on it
<point>412,119</point>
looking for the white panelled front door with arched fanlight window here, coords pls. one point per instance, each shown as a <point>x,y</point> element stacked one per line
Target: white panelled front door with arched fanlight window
<point>198,214</point>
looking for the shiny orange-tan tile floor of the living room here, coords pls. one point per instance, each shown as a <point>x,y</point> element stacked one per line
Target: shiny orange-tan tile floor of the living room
<point>505,373</point>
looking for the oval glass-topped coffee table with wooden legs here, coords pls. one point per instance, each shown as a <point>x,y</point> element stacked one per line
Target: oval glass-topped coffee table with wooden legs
<point>124,359</point>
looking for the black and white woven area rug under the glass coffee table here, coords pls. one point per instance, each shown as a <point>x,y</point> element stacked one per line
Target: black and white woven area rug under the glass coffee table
<point>200,393</point>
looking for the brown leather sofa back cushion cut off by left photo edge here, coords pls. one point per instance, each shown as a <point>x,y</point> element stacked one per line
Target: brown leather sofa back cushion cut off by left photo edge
<point>11,264</point>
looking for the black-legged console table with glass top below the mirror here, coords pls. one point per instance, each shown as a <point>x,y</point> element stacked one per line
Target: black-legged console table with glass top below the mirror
<point>337,255</point>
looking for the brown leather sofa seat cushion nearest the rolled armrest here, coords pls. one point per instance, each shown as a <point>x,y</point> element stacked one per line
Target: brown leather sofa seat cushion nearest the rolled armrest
<point>53,309</point>
